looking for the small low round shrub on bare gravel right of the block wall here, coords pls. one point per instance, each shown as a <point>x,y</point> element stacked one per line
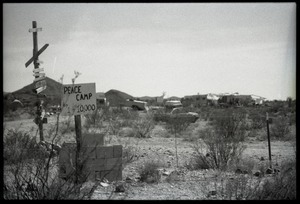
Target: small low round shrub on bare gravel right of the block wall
<point>149,171</point>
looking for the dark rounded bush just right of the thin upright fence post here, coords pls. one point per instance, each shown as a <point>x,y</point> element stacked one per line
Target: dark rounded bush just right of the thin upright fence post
<point>279,129</point>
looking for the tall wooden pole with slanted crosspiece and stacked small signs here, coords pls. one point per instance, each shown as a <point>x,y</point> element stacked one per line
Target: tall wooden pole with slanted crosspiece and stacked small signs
<point>39,82</point>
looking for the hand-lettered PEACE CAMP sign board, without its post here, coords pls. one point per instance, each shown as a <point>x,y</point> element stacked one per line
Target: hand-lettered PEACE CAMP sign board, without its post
<point>78,99</point>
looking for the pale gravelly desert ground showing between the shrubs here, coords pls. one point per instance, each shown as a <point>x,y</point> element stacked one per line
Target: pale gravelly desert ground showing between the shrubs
<point>175,182</point>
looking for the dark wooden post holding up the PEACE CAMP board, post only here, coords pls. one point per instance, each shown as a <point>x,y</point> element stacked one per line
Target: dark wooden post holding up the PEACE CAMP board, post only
<point>78,146</point>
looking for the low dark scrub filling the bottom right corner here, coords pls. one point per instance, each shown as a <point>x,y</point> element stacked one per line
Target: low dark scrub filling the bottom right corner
<point>280,186</point>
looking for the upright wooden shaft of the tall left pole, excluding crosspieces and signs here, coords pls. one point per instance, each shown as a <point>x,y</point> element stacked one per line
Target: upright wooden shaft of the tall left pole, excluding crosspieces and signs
<point>36,66</point>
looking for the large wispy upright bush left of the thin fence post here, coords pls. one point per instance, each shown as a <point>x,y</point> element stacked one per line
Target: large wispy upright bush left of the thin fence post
<point>223,140</point>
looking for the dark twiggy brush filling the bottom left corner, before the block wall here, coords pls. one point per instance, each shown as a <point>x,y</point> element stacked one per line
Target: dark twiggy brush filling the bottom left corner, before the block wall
<point>31,171</point>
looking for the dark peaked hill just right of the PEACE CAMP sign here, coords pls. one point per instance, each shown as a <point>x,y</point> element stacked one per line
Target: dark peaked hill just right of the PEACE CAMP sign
<point>116,97</point>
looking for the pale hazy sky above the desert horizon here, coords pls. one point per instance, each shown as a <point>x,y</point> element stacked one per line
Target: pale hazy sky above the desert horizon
<point>145,49</point>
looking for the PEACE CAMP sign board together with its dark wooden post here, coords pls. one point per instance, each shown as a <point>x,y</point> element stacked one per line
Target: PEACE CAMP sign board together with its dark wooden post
<point>78,99</point>
